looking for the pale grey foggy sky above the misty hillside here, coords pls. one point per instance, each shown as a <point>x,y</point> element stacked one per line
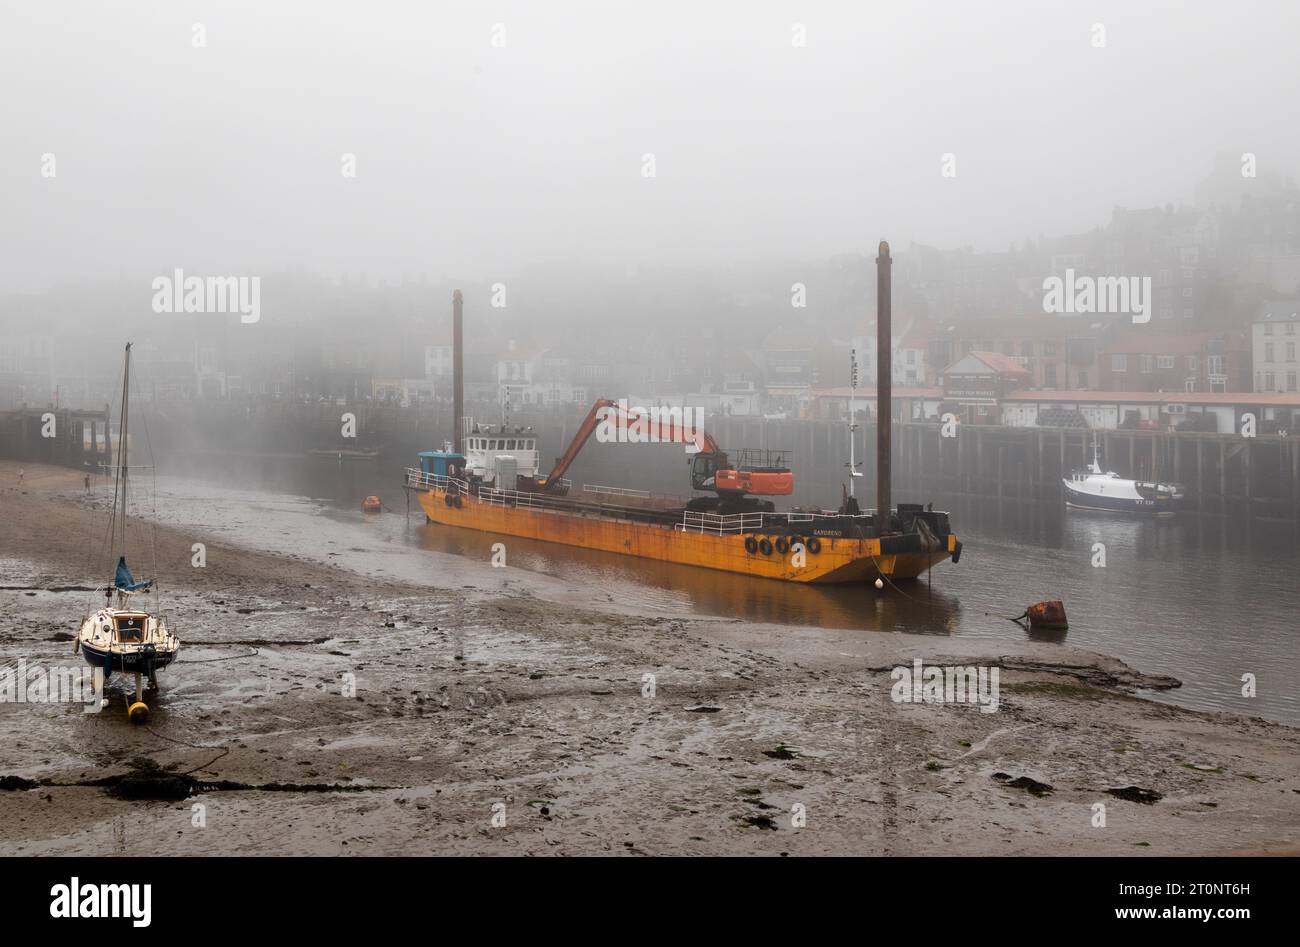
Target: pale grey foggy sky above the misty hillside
<point>479,162</point>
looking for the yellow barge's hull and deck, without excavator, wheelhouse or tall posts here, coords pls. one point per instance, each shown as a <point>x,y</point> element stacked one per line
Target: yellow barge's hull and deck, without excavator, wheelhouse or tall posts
<point>792,547</point>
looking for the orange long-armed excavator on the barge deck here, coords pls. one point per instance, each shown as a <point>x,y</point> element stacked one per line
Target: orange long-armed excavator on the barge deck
<point>760,473</point>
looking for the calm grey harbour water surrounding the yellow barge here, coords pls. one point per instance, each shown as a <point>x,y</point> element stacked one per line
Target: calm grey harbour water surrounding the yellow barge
<point>1206,600</point>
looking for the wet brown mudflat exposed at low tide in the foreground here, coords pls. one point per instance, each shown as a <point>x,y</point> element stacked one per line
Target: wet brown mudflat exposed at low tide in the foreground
<point>317,711</point>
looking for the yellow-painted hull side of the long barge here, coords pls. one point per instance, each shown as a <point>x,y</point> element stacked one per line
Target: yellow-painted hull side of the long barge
<point>839,560</point>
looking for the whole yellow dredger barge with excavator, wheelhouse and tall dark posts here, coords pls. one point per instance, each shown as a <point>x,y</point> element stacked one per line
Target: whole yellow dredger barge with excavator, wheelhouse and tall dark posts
<point>489,481</point>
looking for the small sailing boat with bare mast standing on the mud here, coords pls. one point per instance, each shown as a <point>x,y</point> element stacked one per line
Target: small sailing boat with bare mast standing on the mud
<point>122,637</point>
